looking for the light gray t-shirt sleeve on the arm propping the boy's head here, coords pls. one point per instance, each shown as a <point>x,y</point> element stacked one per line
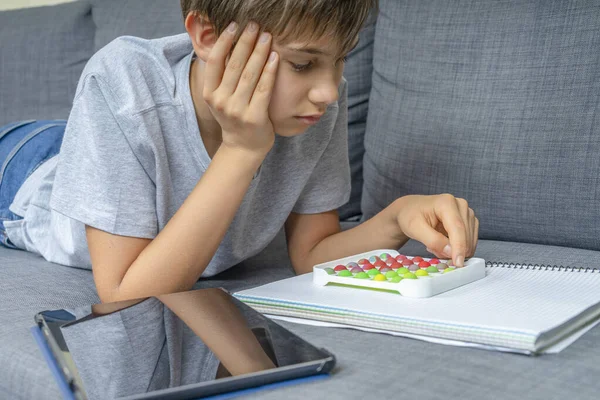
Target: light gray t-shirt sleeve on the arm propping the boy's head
<point>99,180</point>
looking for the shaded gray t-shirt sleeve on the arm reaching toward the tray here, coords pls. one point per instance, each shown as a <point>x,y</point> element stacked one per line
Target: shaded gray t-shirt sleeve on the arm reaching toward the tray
<point>328,187</point>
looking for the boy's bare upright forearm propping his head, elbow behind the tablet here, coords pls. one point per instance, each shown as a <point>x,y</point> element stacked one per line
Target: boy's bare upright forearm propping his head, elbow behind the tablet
<point>176,258</point>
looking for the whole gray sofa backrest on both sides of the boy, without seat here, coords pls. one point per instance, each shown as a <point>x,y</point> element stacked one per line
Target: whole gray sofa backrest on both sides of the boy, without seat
<point>496,102</point>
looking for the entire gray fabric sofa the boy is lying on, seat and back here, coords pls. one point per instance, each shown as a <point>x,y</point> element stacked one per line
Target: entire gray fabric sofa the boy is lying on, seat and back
<point>496,102</point>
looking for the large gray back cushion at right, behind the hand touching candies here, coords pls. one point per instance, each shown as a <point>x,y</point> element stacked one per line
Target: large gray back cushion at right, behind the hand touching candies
<point>495,102</point>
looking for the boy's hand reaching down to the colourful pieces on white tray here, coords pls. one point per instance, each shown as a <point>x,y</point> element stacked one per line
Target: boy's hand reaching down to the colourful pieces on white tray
<point>445,224</point>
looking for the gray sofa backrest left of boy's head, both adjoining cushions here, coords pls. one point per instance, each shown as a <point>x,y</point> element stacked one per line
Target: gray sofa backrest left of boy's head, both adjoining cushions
<point>44,49</point>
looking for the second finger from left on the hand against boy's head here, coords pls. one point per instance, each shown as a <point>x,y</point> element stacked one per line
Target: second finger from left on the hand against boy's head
<point>239,58</point>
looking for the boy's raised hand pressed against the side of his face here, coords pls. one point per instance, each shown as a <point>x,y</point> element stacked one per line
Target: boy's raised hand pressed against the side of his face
<point>238,91</point>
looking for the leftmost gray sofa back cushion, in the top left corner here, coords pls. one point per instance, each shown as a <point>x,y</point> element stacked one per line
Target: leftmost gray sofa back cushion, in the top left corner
<point>42,55</point>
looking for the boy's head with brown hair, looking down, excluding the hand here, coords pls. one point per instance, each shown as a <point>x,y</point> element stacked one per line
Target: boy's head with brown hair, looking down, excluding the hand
<point>311,37</point>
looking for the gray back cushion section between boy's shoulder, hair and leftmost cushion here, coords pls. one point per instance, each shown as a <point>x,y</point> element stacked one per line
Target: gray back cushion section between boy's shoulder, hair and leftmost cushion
<point>148,19</point>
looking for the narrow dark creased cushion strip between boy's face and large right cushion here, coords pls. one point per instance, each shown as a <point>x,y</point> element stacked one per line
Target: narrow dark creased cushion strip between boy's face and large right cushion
<point>357,71</point>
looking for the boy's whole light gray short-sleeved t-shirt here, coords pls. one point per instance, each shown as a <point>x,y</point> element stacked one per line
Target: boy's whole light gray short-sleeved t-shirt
<point>132,153</point>
